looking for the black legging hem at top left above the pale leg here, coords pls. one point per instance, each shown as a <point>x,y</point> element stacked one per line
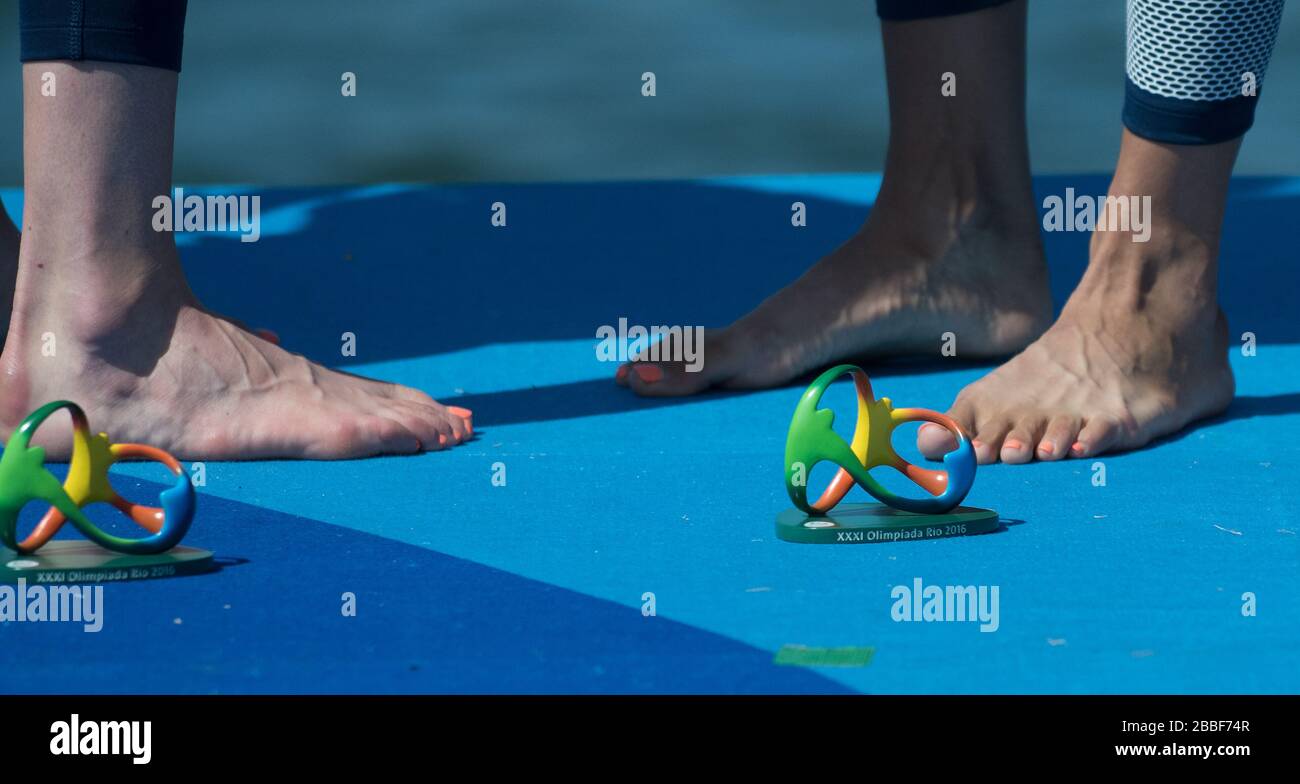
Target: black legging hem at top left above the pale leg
<point>135,32</point>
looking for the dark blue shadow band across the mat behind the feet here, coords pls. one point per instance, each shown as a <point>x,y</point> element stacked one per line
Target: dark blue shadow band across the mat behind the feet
<point>421,271</point>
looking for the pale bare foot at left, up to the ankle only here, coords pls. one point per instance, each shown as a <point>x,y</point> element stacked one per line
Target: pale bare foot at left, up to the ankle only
<point>151,366</point>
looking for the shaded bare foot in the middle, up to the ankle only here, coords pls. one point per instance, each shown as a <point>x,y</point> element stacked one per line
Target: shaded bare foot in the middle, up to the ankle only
<point>905,279</point>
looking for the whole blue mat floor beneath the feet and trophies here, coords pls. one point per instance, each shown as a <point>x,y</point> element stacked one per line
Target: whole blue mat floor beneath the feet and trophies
<point>538,586</point>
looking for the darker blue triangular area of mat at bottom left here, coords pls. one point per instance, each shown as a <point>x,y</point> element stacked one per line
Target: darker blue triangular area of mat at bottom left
<point>271,622</point>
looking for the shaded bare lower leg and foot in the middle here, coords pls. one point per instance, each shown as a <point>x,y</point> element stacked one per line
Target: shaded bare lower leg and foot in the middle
<point>951,245</point>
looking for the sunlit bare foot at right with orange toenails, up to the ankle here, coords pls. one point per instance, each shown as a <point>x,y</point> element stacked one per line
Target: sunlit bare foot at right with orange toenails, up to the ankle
<point>1141,350</point>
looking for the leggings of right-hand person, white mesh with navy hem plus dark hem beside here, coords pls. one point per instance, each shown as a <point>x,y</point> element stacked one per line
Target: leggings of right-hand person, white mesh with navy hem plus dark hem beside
<point>1195,67</point>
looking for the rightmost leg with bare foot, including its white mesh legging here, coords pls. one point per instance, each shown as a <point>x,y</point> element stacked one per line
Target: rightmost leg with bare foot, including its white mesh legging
<point>1141,348</point>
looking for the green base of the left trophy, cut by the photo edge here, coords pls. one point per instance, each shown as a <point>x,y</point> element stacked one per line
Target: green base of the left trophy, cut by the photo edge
<point>76,561</point>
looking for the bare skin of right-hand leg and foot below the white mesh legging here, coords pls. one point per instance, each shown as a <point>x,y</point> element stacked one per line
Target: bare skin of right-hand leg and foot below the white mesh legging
<point>1141,349</point>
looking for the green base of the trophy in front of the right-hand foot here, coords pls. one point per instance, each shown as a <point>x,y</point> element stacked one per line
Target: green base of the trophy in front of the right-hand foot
<point>872,523</point>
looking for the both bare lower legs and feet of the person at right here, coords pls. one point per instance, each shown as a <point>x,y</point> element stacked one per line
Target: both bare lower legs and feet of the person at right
<point>952,246</point>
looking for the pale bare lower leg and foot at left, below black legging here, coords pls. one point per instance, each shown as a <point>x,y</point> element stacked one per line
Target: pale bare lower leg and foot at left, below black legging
<point>129,340</point>
